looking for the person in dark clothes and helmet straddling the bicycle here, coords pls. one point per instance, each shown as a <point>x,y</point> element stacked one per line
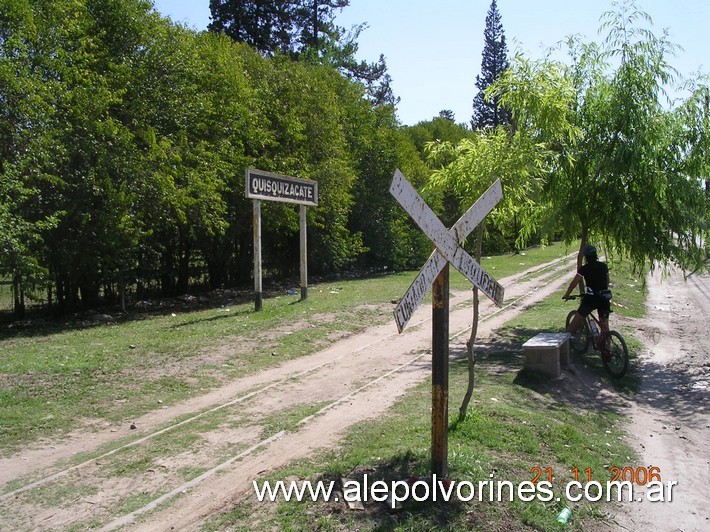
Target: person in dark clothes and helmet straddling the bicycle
<point>597,293</point>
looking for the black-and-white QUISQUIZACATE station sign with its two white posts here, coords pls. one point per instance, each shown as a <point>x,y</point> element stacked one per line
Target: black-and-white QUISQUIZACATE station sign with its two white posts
<point>262,185</point>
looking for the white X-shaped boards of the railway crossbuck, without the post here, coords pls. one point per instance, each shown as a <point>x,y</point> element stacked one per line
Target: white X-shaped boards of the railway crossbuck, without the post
<point>447,243</point>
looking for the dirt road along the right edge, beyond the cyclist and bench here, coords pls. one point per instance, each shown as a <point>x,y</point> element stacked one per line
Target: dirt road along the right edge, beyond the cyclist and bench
<point>670,420</point>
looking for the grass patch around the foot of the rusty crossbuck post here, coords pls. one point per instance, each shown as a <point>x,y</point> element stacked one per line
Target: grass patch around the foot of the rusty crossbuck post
<point>515,426</point>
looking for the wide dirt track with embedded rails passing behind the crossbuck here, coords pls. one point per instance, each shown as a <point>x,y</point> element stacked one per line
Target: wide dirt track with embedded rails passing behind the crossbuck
<point>355,379</point>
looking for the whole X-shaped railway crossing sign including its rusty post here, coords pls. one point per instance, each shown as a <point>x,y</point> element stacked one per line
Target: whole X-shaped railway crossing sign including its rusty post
<point>436,273</point>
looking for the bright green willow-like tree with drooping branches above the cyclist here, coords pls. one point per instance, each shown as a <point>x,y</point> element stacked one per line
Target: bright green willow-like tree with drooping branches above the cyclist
<point>630,172</point>
